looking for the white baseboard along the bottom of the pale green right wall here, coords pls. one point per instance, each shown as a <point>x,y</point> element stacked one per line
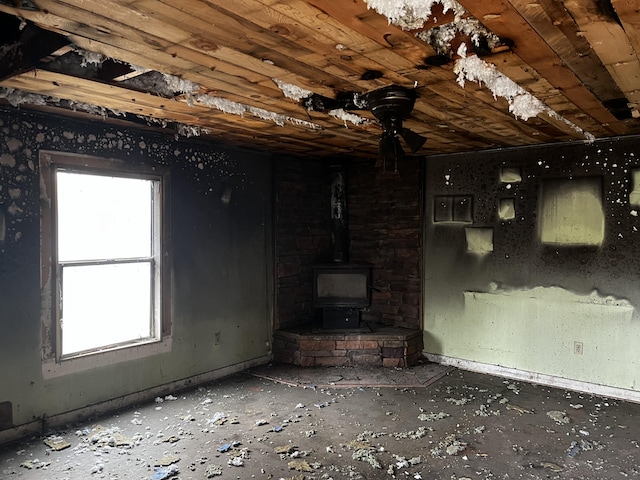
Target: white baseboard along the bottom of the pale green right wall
<point>538,378</point>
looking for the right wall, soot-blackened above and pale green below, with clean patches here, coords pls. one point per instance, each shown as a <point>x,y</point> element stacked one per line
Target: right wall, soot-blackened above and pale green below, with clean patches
<point>532,258</point>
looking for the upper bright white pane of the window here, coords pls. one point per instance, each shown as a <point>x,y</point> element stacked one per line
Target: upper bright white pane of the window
<point>102,217</point>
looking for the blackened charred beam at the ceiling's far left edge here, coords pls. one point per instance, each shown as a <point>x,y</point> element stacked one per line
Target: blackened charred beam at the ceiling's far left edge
<point>25,45</point>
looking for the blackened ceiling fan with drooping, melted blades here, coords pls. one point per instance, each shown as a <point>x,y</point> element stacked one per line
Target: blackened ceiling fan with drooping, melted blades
<point>391,105</point>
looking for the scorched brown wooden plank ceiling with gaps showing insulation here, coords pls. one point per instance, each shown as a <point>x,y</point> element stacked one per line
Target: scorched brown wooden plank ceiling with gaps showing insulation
<point>290,76</point>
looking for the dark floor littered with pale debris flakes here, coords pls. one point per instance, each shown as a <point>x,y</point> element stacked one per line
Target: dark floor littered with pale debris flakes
<point>285,422</point>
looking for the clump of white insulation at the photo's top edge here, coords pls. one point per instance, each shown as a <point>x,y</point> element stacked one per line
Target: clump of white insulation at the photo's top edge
<point>412,14</point>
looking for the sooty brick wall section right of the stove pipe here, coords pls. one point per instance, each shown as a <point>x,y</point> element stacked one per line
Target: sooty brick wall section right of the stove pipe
<point>385,228</point>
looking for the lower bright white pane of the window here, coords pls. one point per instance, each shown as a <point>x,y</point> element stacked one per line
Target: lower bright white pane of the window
<point>105,304</point>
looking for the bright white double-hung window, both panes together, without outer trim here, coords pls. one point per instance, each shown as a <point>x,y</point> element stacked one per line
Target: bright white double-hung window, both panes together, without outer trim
<point>107,264</point>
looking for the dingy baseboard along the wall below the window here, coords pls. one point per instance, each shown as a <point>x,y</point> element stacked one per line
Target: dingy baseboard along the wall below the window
<point>45,424</point>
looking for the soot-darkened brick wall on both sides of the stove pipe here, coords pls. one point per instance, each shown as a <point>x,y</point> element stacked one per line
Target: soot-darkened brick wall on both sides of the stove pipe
<point>384,212</point>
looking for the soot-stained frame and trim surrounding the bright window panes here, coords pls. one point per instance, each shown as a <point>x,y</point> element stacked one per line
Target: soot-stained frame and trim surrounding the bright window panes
<point>54,363</point>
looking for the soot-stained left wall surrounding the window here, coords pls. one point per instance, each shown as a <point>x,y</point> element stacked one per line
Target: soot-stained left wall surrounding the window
<point>221,257</point>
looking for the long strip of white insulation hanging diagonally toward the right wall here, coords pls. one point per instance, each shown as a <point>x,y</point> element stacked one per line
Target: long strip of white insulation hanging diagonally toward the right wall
<point>522,104</point>
